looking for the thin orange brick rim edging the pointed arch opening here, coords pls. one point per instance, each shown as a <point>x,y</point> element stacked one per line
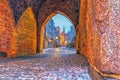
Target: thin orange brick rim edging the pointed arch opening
<point>44,25</point>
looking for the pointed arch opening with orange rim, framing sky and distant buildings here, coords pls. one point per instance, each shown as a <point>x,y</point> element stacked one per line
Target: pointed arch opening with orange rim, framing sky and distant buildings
<point>62,33</point>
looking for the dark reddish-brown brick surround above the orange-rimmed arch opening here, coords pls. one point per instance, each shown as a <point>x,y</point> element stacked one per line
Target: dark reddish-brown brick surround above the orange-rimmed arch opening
<point>69,7</point>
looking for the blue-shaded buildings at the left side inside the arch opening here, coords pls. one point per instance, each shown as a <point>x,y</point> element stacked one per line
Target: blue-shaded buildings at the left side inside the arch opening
<point>51,34</point>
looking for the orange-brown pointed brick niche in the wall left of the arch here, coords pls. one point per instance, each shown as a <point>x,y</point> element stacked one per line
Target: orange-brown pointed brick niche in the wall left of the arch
<point>26,34</point>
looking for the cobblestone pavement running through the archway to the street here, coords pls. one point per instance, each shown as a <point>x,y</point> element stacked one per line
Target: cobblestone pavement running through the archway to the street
<point>52,64</point>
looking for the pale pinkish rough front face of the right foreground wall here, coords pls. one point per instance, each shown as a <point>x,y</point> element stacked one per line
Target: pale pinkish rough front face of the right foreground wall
<point>110,39</point>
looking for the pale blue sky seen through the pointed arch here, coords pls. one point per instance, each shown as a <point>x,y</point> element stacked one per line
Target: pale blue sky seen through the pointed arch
<point>61,21</point>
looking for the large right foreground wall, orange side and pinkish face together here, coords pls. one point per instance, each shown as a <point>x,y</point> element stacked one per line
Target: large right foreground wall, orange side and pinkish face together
<point>103,19</point>
